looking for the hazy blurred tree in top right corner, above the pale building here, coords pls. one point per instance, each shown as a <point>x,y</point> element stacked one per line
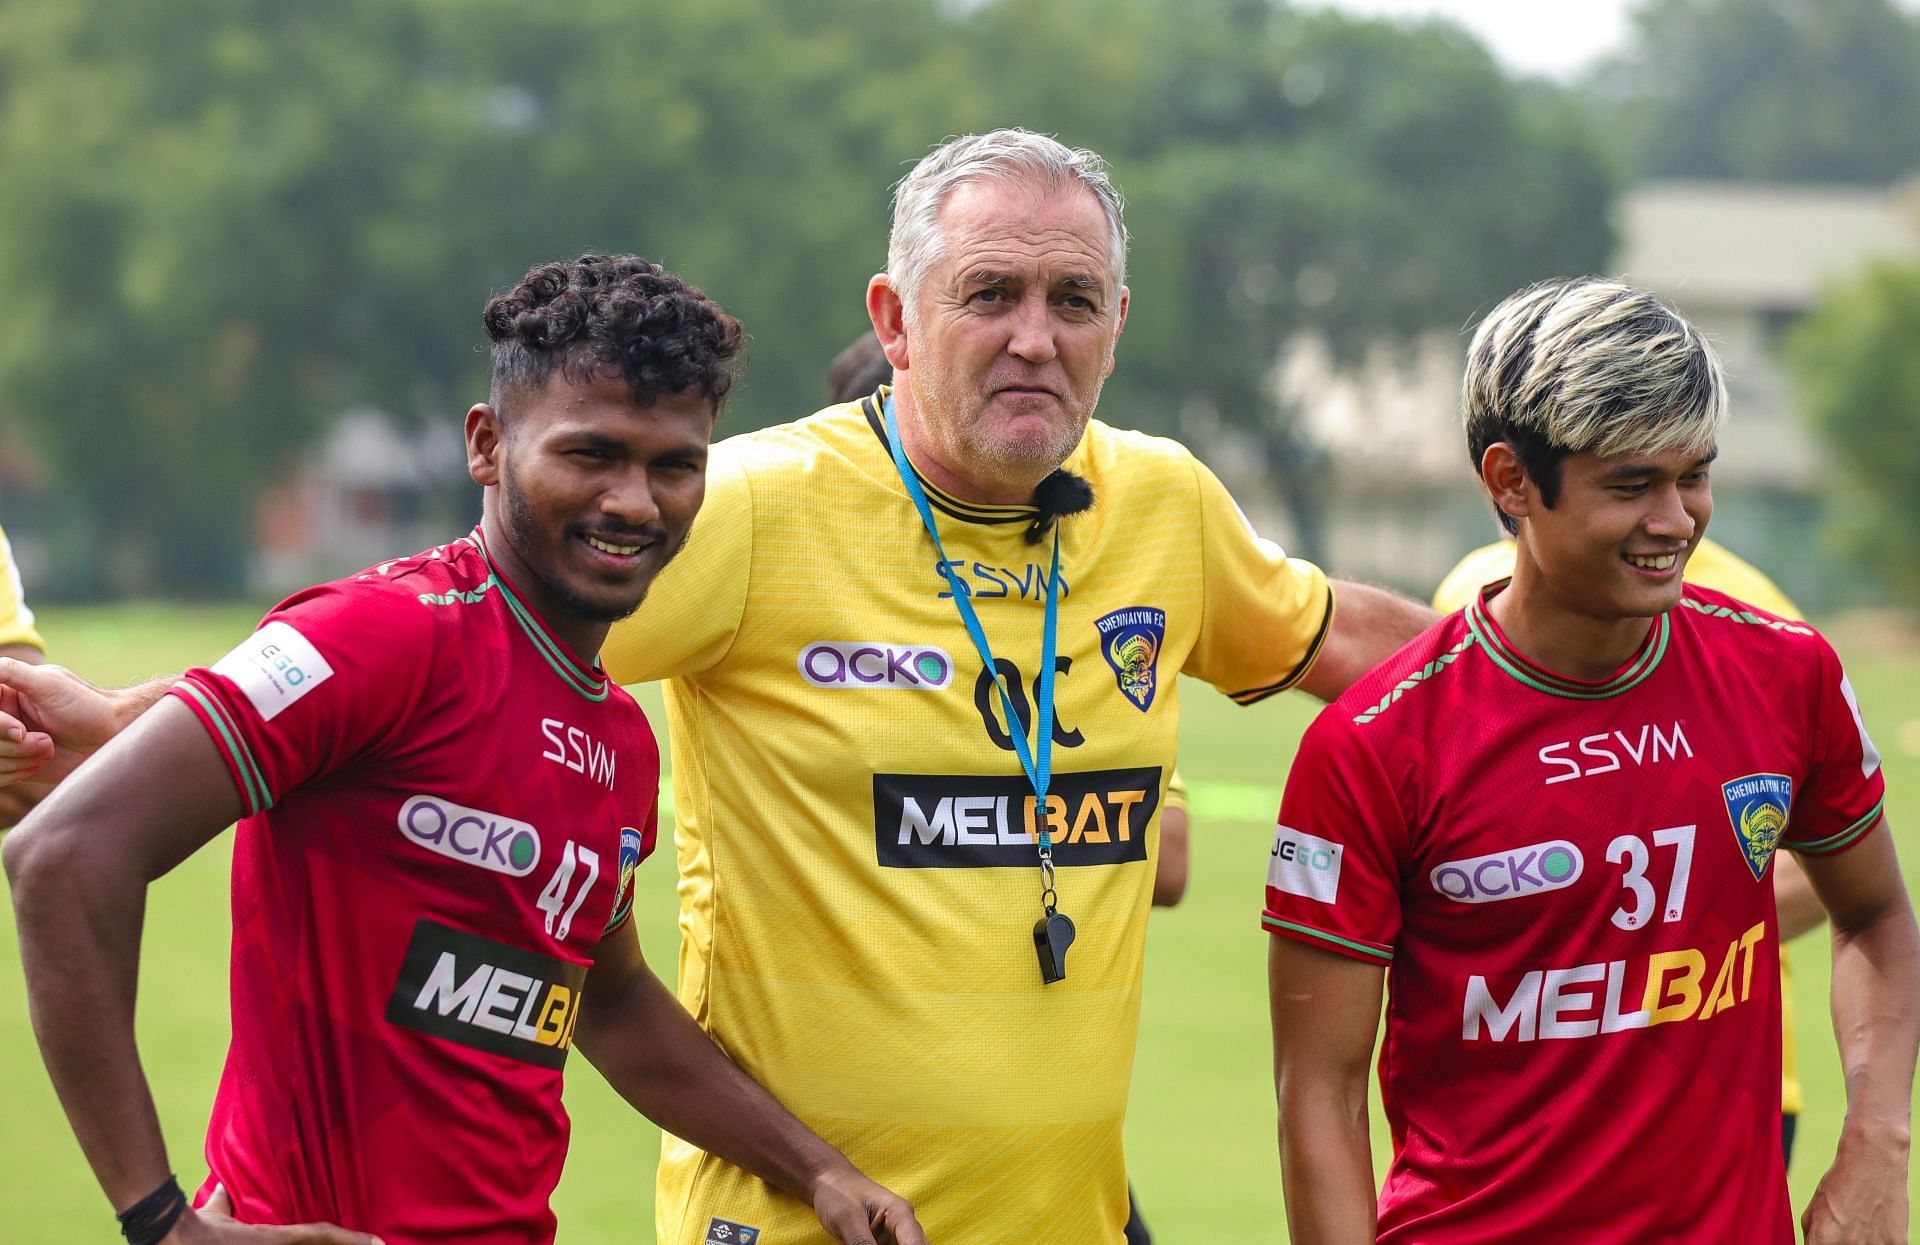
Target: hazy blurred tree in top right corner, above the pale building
<point>1769,91</point>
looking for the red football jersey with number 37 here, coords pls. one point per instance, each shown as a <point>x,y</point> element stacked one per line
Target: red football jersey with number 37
<point>1572,885</point>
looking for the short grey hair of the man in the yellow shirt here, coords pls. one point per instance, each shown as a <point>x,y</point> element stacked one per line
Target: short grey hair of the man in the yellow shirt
<point>917,243</point>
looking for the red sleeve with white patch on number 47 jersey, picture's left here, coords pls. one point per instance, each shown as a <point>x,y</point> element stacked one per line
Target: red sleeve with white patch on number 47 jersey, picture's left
<point>331,675</point>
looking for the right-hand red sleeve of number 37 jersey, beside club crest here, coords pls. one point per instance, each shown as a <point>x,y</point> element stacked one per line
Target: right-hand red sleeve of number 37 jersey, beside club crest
<point>1846,791</point>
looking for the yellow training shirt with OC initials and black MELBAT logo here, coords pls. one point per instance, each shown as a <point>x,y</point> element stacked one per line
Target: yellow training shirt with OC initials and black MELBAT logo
<point>855,833</point>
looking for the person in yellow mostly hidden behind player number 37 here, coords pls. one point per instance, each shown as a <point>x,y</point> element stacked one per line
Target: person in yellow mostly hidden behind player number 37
<point>1714,566</point>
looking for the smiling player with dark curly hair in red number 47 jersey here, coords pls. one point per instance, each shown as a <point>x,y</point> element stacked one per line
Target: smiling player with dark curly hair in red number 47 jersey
<point>443,800</point>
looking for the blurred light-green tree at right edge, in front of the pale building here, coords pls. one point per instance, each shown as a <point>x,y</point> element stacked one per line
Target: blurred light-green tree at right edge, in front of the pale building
<point>1860,379</point>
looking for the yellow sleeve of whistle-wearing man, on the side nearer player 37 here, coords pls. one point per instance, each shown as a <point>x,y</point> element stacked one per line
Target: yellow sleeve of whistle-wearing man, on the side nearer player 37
<point>1264,616</point>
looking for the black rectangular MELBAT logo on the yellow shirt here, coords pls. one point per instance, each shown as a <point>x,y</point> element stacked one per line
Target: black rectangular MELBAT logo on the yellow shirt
<point>992,821</point>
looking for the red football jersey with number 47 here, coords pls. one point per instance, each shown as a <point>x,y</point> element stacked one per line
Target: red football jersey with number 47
<point>444,810</point>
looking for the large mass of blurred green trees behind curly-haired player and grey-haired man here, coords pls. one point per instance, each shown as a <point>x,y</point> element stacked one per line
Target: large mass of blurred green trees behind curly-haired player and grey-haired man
<point>228,222</point>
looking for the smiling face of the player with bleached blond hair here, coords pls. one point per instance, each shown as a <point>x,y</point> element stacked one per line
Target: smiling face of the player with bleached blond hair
<point>1620,535</point>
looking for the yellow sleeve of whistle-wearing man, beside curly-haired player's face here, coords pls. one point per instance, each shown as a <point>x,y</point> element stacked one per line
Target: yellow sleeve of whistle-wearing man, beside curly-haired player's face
<point>692,614</point>
